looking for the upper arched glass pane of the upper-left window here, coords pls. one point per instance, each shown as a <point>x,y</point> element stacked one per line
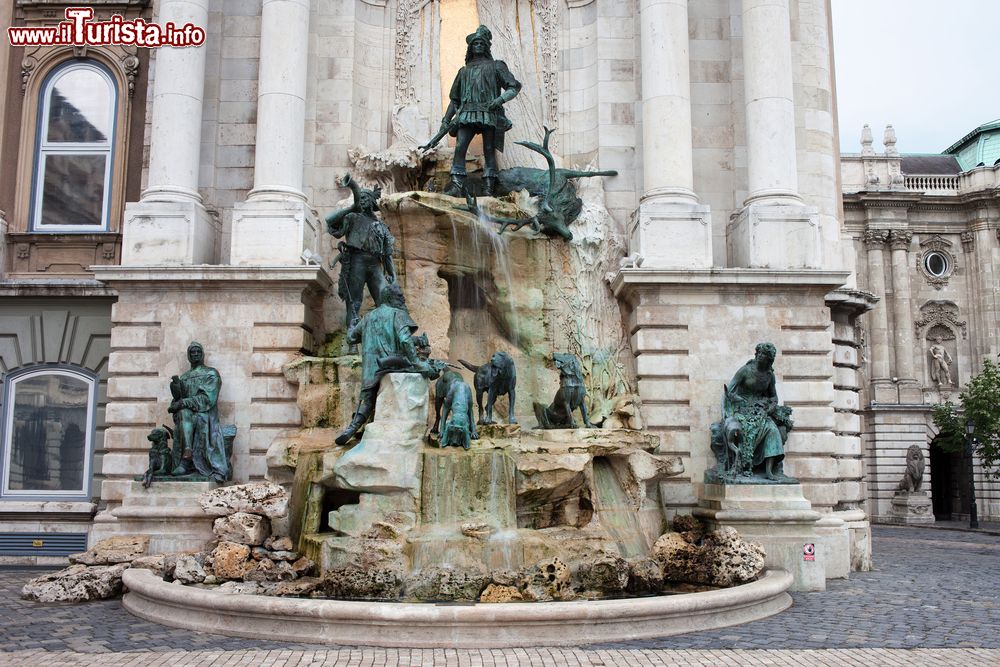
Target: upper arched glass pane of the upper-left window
<point>79,107</point>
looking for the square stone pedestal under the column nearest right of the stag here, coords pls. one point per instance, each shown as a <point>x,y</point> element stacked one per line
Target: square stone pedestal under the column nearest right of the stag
<point>672,235</point>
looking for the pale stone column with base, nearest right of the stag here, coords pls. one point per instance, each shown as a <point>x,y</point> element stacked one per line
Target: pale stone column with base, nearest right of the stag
<point>670,229</point>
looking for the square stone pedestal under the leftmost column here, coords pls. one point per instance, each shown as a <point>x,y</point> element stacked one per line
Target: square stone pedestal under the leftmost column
<point>168,232</point>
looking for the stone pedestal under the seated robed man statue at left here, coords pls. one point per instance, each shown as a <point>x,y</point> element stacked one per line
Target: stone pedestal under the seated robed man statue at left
<point>167,511</point>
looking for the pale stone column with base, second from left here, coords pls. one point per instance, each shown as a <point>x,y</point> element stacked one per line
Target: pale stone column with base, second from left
<point>275,225</point>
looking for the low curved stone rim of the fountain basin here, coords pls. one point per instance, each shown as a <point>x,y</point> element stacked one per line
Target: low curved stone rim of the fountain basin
<point>427,625</point>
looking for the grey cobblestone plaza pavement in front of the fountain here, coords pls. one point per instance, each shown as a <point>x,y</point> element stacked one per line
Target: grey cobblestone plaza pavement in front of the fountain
<point>934,599</point>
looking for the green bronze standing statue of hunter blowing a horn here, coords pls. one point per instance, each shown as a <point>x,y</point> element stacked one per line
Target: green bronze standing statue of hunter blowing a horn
<point>366,251</point>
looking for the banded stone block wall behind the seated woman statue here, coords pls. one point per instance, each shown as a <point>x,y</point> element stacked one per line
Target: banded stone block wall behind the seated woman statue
<point>688,346</point>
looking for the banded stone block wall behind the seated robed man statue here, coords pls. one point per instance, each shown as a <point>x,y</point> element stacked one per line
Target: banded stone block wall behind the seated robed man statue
<point>250,326</point>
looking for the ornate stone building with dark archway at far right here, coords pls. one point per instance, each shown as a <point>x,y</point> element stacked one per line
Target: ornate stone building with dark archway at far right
<point>925,232</point>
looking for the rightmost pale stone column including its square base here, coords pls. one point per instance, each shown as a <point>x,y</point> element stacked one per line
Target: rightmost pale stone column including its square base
<point>774,229</point>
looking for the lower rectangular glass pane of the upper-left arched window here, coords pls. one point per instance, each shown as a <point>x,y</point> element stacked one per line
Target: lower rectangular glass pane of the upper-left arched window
<point>73,191</point>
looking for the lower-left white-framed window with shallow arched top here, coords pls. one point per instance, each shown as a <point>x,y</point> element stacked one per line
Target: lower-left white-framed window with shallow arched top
<point>48,433</point>
